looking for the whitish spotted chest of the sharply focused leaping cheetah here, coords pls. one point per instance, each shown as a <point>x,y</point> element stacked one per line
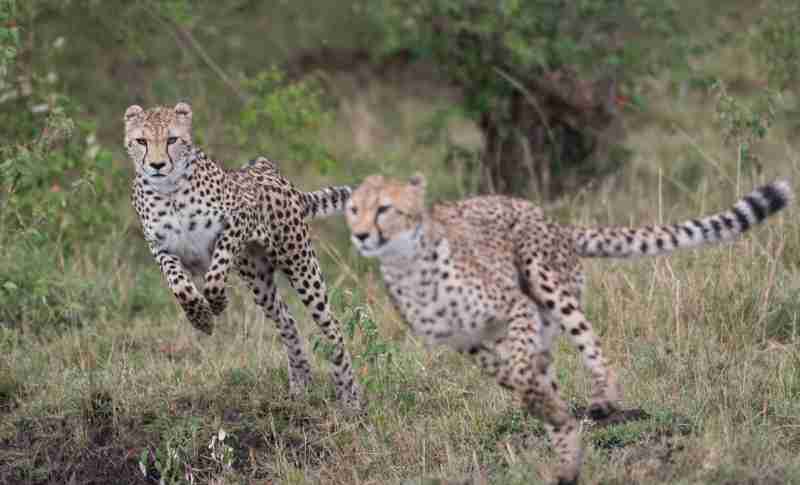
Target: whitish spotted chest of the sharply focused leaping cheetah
<point>190,234</point>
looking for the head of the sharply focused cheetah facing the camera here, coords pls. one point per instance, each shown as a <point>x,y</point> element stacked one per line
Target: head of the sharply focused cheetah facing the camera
<point>159,141</point>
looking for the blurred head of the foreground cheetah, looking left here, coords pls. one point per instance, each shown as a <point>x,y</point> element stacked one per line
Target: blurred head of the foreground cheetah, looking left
<point>385,216</point>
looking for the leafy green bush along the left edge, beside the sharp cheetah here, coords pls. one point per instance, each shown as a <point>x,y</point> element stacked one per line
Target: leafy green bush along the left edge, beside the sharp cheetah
<point>59,192</point>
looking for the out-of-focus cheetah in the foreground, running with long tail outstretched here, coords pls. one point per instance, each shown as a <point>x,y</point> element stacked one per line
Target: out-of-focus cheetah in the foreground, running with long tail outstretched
<point>493,278</point>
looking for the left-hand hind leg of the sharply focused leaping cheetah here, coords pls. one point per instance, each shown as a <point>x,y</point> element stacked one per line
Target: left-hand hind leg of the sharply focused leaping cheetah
<point>258,274</point>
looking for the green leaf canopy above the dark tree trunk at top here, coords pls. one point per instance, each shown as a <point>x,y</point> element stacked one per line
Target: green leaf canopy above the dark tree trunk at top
<point>469,39</point>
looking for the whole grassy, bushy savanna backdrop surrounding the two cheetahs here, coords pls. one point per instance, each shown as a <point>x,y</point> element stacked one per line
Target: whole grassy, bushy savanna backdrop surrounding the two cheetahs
<point>603,111</point>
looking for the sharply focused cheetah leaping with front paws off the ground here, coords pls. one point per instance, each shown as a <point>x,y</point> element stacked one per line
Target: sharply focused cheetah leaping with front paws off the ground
<point>201,220</point>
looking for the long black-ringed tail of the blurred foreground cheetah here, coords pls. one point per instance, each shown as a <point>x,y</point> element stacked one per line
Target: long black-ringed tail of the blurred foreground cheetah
<point>623,242</point>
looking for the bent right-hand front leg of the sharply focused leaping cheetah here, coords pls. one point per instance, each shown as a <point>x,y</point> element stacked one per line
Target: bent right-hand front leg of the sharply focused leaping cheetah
<point>226,253</point>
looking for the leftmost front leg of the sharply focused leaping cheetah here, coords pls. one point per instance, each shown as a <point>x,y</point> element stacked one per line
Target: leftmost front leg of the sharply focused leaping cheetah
<point>194,305</point>
